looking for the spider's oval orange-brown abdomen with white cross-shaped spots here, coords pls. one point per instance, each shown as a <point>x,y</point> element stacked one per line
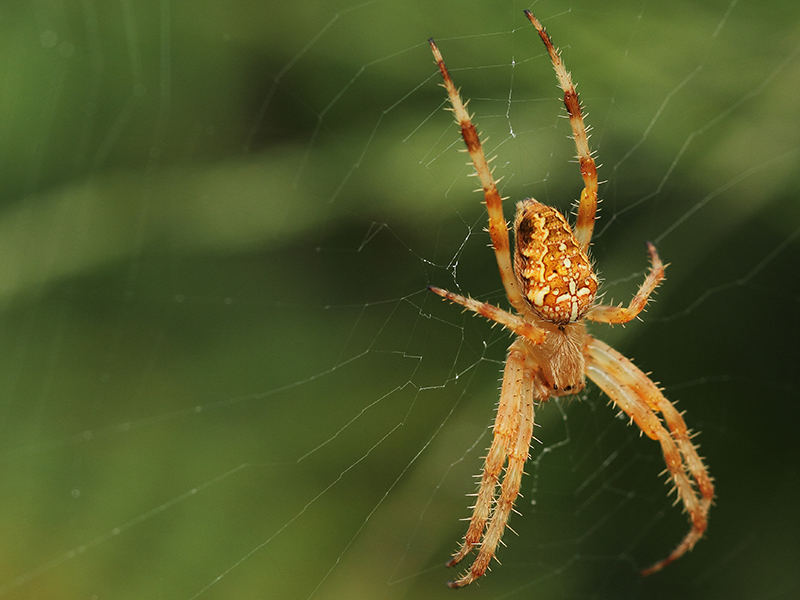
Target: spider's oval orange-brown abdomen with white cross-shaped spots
<point>554,273</point>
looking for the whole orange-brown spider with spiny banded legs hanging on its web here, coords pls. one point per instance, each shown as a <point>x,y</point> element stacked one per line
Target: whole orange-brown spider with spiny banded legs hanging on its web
<point>552,287</point>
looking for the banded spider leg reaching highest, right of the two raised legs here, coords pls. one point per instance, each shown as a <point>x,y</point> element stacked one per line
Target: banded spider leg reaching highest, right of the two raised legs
<point>587,208</point>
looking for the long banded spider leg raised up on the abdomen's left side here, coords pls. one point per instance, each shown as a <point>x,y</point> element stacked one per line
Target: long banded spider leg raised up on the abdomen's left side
<point>498,229</point>
